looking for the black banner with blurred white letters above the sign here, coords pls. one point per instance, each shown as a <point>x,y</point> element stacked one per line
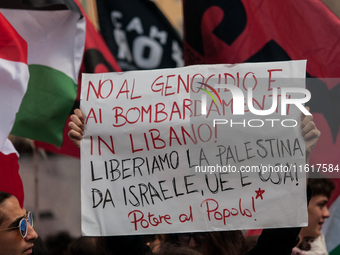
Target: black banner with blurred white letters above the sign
<point>139,35</point>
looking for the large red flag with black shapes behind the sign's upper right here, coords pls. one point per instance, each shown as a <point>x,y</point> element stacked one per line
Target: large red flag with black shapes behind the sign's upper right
<point>238,31</point>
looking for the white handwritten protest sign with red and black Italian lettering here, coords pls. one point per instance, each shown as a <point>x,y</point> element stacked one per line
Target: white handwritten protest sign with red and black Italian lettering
<point>151,162</point>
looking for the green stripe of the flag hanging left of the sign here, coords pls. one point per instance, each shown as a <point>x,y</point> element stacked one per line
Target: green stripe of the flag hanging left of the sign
<point>48,101</point>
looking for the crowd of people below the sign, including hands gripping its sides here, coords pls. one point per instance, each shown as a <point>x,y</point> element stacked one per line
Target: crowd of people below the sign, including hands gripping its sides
<point>17,235</point>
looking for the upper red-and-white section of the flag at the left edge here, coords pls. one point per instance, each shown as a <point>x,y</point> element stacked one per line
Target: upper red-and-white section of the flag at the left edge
<point>14,76</point>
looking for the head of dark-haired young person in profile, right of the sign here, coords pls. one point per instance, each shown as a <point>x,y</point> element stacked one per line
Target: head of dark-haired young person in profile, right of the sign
<point>322,189</point>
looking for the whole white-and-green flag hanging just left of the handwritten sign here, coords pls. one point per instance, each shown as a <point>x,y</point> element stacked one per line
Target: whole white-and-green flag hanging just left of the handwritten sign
<point>55,41</point>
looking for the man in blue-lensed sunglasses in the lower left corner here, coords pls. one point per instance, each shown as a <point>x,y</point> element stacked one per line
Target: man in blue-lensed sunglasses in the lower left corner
<point>16,227</point>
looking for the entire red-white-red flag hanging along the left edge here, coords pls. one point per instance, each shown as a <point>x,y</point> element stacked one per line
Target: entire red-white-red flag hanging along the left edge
<point>13,84</point>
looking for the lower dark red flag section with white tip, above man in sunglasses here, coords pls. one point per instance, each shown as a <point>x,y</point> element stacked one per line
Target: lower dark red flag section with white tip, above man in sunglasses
<point>10,180</point>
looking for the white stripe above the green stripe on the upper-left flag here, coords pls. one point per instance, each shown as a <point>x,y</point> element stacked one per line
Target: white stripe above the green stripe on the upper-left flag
<point>56,44</point>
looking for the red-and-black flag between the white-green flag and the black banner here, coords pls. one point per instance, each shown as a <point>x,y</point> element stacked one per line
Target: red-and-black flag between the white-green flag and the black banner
<point>97,59</point>
